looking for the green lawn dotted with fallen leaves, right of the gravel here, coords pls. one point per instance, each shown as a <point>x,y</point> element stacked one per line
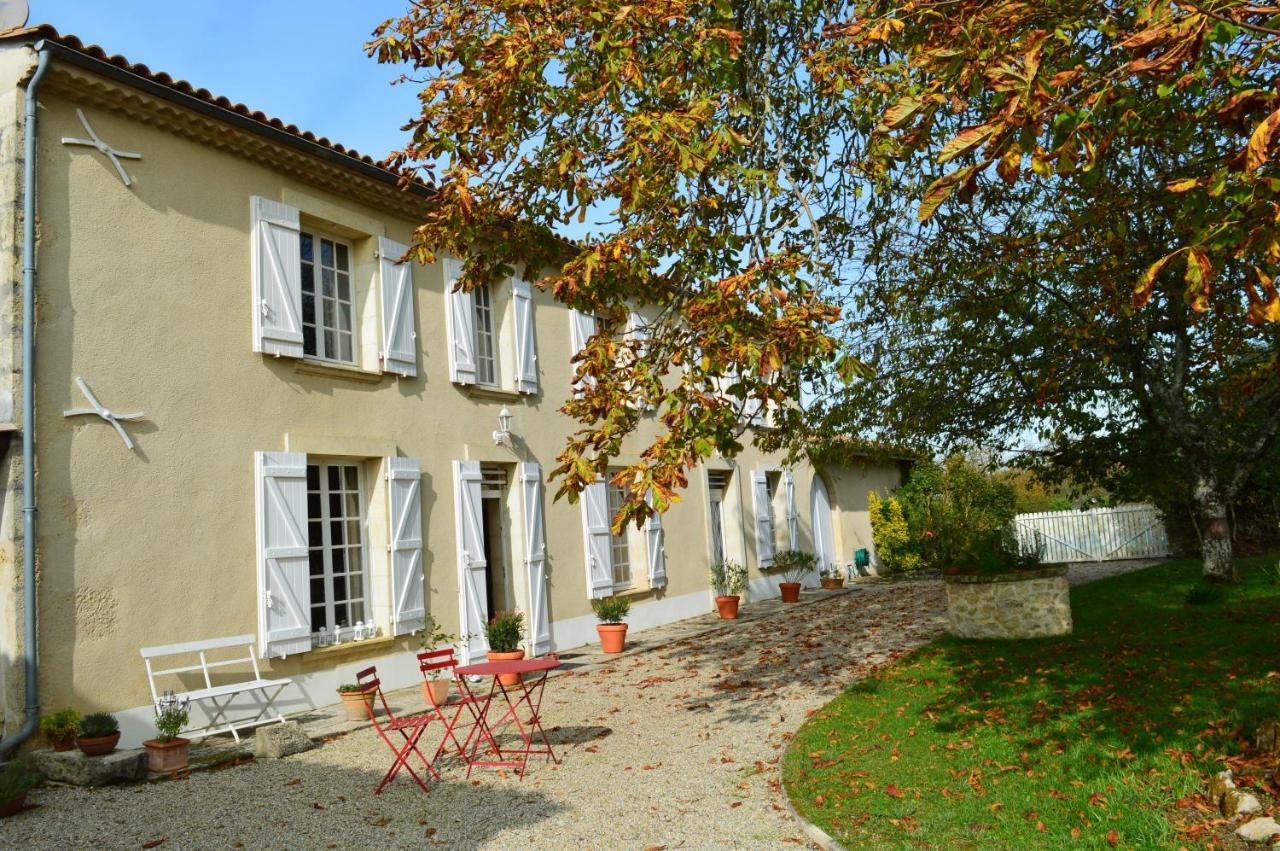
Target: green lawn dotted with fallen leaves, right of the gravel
<point>1049,743</point>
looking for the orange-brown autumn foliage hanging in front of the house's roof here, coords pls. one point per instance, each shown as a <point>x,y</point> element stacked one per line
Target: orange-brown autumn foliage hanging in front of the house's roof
<point>691,145</point>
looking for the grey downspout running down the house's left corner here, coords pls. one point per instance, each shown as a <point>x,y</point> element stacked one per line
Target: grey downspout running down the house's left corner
<point>29,409</point>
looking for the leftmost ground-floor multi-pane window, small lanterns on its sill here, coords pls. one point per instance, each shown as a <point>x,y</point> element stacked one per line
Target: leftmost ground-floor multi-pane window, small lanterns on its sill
<point>336,542</point>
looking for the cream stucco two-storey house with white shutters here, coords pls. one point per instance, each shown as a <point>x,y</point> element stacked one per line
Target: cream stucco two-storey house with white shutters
<point>316,446</point>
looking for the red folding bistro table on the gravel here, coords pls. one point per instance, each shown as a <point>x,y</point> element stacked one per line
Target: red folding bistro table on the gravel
<point>529,696</point>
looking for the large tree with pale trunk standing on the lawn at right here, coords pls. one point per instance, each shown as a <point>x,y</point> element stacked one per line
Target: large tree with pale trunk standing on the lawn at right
<point>1098,203</point>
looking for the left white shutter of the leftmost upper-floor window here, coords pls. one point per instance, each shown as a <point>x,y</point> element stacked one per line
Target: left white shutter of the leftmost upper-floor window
<point>277,272</point>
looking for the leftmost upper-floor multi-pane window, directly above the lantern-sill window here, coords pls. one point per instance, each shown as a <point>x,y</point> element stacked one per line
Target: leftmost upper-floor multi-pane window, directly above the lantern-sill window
<point>328,304</point>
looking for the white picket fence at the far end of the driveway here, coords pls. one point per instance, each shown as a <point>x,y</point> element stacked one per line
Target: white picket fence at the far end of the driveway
<point>1098,534</point>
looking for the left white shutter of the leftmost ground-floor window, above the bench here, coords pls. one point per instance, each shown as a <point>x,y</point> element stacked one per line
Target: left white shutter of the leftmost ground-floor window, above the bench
<point>284,565</point>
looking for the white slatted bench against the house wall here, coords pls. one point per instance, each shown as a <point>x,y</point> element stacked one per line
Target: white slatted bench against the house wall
<point>220,697</point>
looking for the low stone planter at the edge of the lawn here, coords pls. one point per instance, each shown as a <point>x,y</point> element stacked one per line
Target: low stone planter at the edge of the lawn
<point>1027,605</point>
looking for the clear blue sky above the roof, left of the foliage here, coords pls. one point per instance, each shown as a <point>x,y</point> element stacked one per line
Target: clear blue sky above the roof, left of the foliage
<point>300,61</point>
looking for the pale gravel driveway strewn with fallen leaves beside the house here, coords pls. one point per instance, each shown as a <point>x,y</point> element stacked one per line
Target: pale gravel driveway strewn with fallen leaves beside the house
<point>675,748</point>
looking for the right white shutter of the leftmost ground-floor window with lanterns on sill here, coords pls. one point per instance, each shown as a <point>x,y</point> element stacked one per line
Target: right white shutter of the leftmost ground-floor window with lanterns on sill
<point>405,514</point>
